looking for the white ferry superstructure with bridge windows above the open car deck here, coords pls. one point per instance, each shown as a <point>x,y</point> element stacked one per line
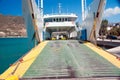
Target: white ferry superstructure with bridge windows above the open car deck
<point>57,25</point>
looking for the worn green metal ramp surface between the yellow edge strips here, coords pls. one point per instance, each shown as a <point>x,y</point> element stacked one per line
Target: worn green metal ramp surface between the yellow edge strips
<point>70,59</point>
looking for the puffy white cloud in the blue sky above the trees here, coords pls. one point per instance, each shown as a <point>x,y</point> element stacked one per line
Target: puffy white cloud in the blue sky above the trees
<point>111,11</point>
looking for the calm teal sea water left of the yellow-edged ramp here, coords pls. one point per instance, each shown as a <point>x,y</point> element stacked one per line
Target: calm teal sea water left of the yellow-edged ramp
<point>11,49</point>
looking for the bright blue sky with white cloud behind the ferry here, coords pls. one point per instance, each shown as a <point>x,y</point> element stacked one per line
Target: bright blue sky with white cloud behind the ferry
<point>14,7</point>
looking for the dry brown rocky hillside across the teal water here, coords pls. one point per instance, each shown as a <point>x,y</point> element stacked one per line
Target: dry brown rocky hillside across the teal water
<point>12,26</point>
